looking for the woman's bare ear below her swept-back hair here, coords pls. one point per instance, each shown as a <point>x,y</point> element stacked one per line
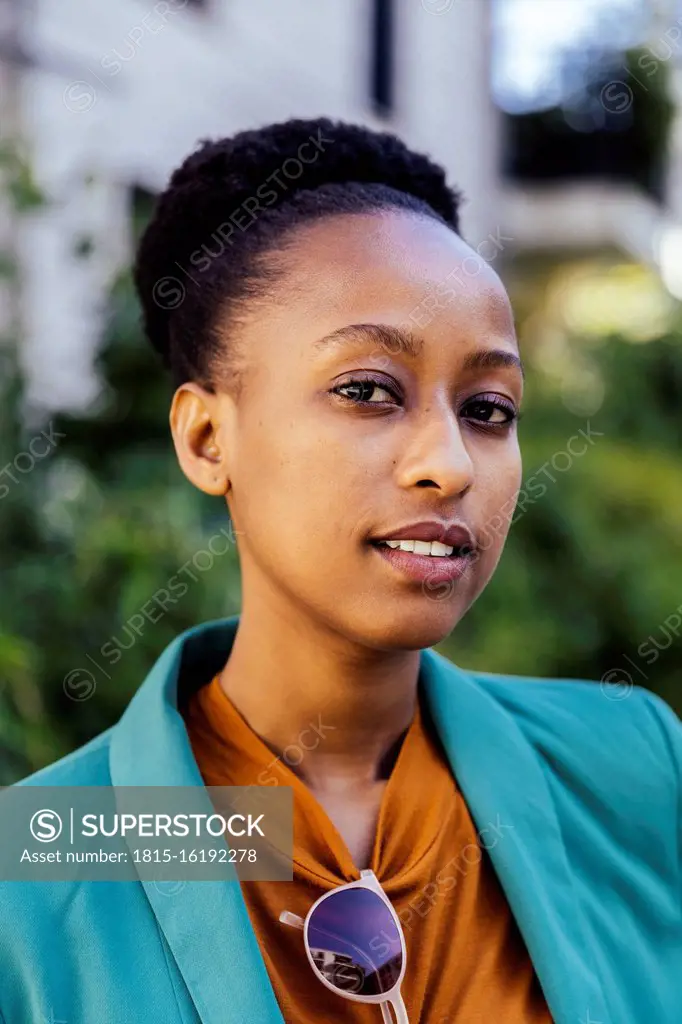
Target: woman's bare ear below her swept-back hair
<point>195,426</point>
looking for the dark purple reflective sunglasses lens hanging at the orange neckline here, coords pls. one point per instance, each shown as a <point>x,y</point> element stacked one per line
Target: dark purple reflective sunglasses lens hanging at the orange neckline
<point>355,943</point>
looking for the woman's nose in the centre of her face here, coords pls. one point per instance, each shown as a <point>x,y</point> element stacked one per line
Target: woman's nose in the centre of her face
<point>437,456</point>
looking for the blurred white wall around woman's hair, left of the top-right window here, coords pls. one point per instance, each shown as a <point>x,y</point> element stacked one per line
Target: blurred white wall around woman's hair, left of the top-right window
<point>121,93</point>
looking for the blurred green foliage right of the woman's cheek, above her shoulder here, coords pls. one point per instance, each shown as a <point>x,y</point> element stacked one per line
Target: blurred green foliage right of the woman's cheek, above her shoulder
<point>591,579</point>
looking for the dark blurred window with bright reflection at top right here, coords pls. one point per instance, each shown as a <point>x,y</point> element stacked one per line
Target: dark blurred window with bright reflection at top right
<point>584,96</point>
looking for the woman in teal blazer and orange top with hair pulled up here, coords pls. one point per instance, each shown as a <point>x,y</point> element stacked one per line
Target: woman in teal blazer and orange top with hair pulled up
<point>348,377</point>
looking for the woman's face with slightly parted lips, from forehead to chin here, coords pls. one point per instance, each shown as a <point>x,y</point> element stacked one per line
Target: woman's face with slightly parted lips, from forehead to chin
<point>339,442</point>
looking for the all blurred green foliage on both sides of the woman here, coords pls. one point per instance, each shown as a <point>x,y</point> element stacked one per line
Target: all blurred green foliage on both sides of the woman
<point>105,520</point>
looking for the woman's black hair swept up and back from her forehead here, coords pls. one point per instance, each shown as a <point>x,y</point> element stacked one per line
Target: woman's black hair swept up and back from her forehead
<point>197,261</point>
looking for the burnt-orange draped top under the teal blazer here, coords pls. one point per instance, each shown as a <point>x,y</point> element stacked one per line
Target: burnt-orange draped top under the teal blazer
<point>466,961</point>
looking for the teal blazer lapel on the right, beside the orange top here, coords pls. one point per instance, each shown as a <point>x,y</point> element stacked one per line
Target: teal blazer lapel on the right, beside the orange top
<point>504,786</point>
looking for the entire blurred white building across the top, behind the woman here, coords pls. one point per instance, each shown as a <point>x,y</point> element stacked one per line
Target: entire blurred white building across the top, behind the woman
<point>111,97</point>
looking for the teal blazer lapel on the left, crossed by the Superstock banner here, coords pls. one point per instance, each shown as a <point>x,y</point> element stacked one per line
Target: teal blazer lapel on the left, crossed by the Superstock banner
<point>206,924</point>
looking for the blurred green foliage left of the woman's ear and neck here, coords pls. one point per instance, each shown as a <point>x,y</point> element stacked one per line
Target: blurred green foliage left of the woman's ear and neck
<point>88,536</point>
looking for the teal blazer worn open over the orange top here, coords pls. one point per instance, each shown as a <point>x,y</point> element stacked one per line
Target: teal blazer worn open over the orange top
<point>591,867</point>
